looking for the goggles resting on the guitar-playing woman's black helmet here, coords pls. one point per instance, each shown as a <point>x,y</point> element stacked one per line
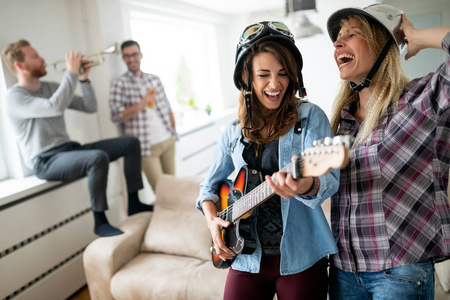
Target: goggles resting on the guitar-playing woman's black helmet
<point>256,30</point>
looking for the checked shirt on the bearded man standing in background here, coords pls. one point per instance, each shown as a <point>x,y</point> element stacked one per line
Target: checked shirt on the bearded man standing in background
<point>129,90</point>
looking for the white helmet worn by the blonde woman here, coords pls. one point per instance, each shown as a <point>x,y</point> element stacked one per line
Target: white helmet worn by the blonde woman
<point>388,16</point>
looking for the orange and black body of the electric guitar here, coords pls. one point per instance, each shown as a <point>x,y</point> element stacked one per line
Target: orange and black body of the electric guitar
<point>237,236</point>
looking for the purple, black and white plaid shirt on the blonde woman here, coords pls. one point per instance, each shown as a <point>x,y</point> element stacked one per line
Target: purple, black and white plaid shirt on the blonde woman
<point>392,208</point>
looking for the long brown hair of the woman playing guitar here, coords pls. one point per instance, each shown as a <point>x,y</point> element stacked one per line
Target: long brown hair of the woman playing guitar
<point>279,120</point>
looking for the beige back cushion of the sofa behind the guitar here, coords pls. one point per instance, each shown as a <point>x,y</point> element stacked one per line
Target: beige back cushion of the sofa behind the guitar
<point>177,227</point>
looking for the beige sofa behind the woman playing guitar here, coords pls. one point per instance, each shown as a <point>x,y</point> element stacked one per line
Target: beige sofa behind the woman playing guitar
<point>161,255</point>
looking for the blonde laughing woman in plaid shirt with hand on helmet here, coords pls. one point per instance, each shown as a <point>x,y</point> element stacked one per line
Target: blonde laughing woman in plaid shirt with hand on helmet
<point>390,218</point>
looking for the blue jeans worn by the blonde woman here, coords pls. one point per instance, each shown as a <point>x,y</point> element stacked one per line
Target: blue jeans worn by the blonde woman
<point>415,281</point>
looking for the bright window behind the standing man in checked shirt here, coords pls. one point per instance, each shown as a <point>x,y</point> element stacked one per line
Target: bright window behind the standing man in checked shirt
<point>183,54</point>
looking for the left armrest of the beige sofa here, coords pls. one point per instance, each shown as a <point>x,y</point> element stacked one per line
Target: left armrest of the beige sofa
<point>104,256</point>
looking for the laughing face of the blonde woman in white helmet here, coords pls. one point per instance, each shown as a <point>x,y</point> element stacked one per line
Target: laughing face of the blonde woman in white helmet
<point>352,53</point>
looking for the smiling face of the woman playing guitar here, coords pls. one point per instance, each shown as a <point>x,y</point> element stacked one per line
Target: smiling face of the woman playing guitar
<point>270,80</point>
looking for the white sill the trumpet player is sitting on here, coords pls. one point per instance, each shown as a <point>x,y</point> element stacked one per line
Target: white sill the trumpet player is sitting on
<point>14,189</point>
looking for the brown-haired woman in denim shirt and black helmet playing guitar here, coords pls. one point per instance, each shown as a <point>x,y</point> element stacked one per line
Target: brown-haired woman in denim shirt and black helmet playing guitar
<point>292,236</point>
